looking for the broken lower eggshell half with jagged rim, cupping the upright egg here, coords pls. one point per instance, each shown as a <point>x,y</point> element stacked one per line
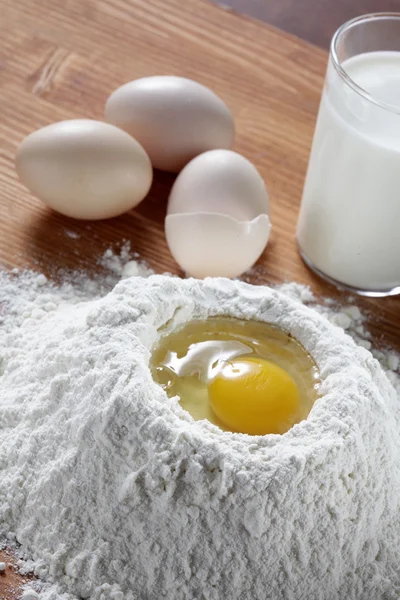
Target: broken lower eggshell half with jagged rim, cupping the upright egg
<point>216,245</point>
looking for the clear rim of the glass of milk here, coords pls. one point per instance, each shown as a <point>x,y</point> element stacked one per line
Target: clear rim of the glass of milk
<point>341,71</point>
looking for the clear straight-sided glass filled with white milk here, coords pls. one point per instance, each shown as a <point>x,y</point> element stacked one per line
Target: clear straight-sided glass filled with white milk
<point>349,223</point>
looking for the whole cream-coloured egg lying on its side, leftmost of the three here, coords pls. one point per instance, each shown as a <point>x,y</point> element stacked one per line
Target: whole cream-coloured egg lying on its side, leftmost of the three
<point>85,169</point>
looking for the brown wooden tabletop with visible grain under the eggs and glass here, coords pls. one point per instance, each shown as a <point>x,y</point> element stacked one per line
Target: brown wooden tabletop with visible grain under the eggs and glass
<point>60,59</point>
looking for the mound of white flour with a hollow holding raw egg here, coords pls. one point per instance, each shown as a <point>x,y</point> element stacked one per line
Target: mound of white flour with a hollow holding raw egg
<point>116,493</point>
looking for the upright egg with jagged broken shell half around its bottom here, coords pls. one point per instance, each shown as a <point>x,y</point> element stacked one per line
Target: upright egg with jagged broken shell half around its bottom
<point>217,220</point>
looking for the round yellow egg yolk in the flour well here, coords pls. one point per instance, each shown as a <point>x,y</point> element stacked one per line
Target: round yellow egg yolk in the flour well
<point>254,396</point>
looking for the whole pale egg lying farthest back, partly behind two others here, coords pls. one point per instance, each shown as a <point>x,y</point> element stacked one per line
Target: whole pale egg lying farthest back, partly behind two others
<point>174,118</point>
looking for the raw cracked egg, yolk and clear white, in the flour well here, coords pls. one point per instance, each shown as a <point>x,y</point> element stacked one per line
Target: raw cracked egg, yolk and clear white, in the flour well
<point>244,376</point>
